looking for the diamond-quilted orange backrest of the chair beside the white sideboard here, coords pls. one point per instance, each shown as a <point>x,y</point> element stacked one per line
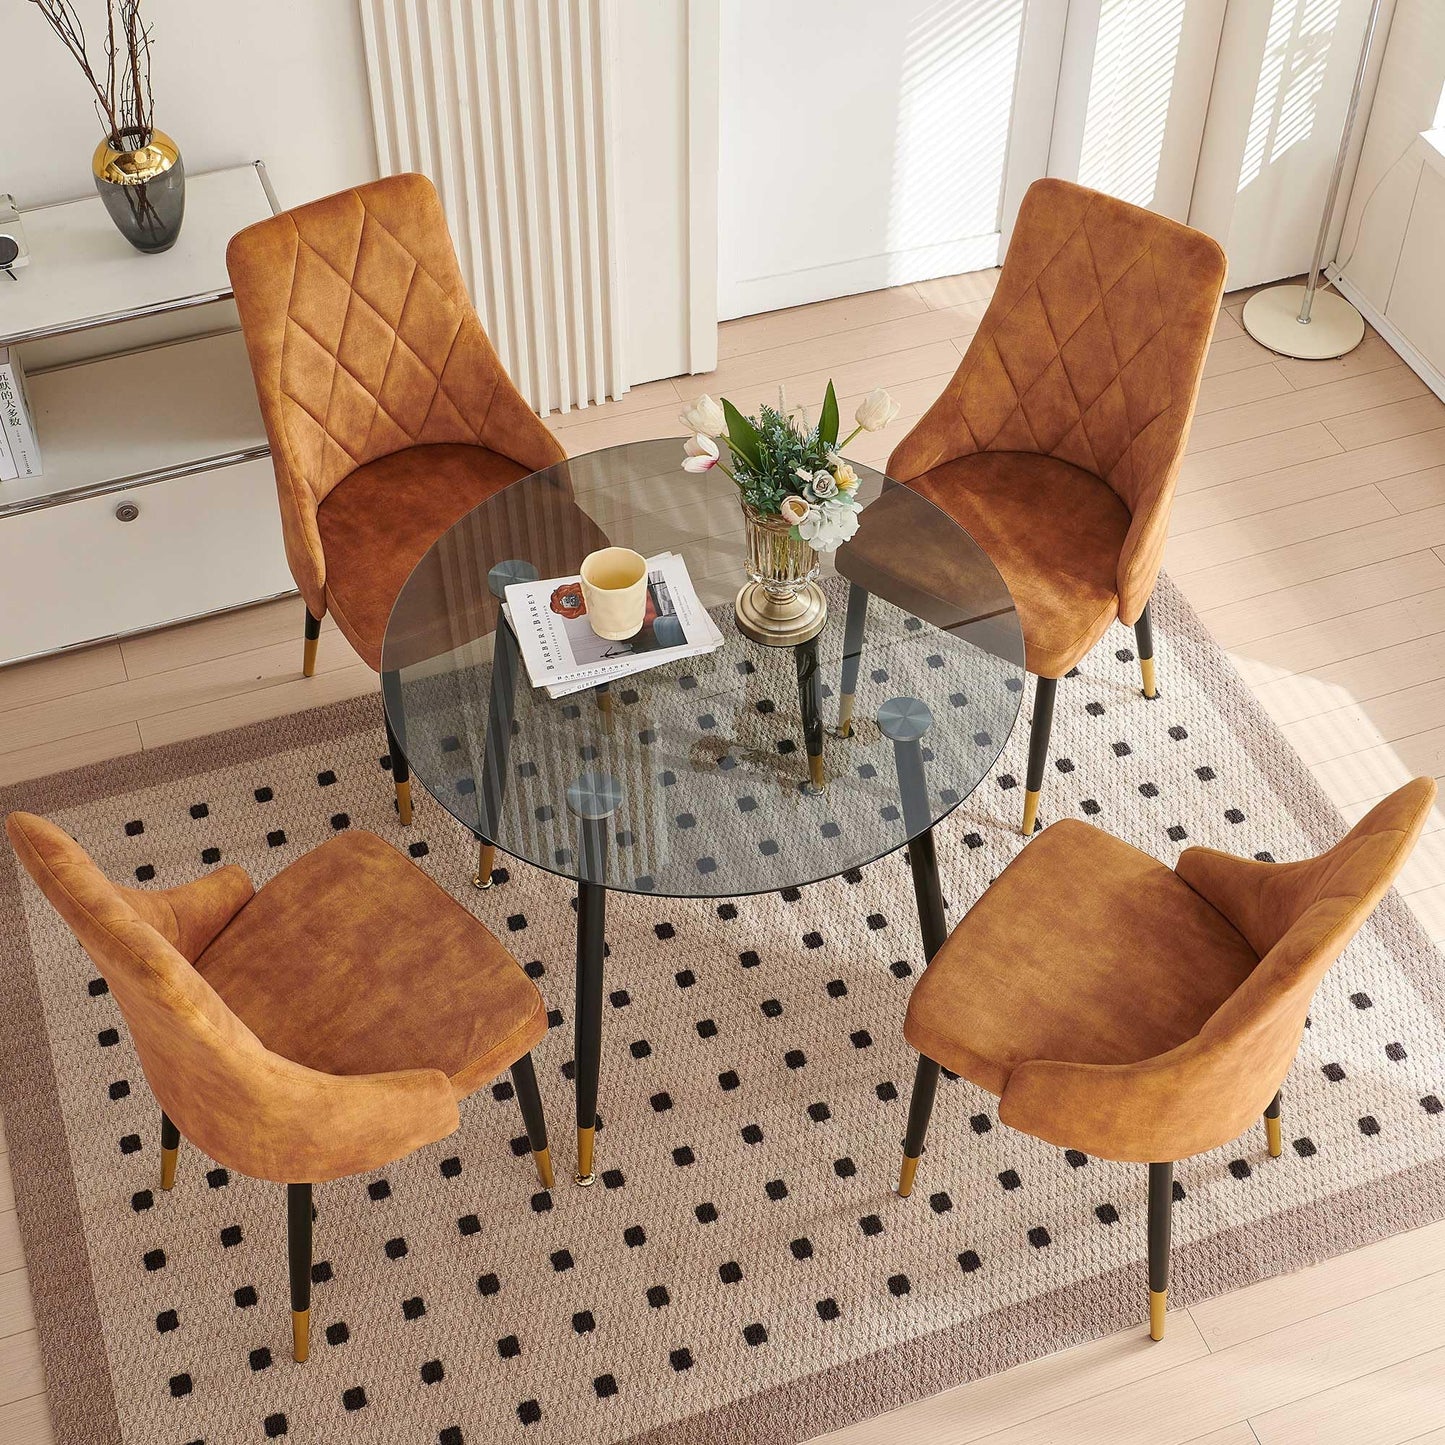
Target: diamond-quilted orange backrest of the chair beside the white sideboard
<point>363,342</point>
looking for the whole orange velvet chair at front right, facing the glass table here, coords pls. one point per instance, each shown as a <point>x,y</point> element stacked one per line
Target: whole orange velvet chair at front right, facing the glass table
<point>1138,1012</point>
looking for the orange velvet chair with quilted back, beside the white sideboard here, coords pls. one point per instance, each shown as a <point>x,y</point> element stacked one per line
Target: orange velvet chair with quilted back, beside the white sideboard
<point>388,411</point>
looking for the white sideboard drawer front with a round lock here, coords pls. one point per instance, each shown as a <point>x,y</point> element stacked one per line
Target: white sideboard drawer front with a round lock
<point>82,571</point>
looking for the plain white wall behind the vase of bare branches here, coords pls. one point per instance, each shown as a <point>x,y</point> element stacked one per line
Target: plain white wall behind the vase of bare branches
<point>278,80</point>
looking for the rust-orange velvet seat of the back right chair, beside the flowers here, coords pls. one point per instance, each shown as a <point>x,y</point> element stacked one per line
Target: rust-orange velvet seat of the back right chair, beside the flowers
<point>1053,530</point>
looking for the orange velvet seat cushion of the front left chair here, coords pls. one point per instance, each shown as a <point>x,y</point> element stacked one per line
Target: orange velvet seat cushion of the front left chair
<point>353,962</point>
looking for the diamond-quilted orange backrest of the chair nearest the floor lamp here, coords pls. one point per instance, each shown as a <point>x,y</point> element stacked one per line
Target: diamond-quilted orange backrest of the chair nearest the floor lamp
<point>1092,350</point>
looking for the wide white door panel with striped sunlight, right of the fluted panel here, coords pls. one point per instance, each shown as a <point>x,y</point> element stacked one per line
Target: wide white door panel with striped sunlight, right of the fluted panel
<point>862,145</point>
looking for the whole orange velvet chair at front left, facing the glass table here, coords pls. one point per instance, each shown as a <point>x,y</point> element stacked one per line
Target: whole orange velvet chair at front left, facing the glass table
<point>324,1027</point>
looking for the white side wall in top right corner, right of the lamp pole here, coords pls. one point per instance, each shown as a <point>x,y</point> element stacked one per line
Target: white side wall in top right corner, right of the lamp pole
<point>1410,99</point>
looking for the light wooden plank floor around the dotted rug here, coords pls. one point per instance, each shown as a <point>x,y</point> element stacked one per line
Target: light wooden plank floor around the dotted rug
<point>1310,532</point>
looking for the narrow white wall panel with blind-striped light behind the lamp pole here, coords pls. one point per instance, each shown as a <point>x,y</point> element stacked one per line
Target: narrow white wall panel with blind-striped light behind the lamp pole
<point>1281,90</point>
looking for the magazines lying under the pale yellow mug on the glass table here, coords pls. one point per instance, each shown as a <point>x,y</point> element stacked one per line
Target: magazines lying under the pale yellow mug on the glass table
<point>564,655</point>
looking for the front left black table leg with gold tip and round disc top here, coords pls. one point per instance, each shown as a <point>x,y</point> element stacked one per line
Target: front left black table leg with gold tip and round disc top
<point>593,800</point>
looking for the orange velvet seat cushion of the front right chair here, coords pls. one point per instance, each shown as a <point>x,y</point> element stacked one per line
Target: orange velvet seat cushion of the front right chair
<point>1083,952</point>
